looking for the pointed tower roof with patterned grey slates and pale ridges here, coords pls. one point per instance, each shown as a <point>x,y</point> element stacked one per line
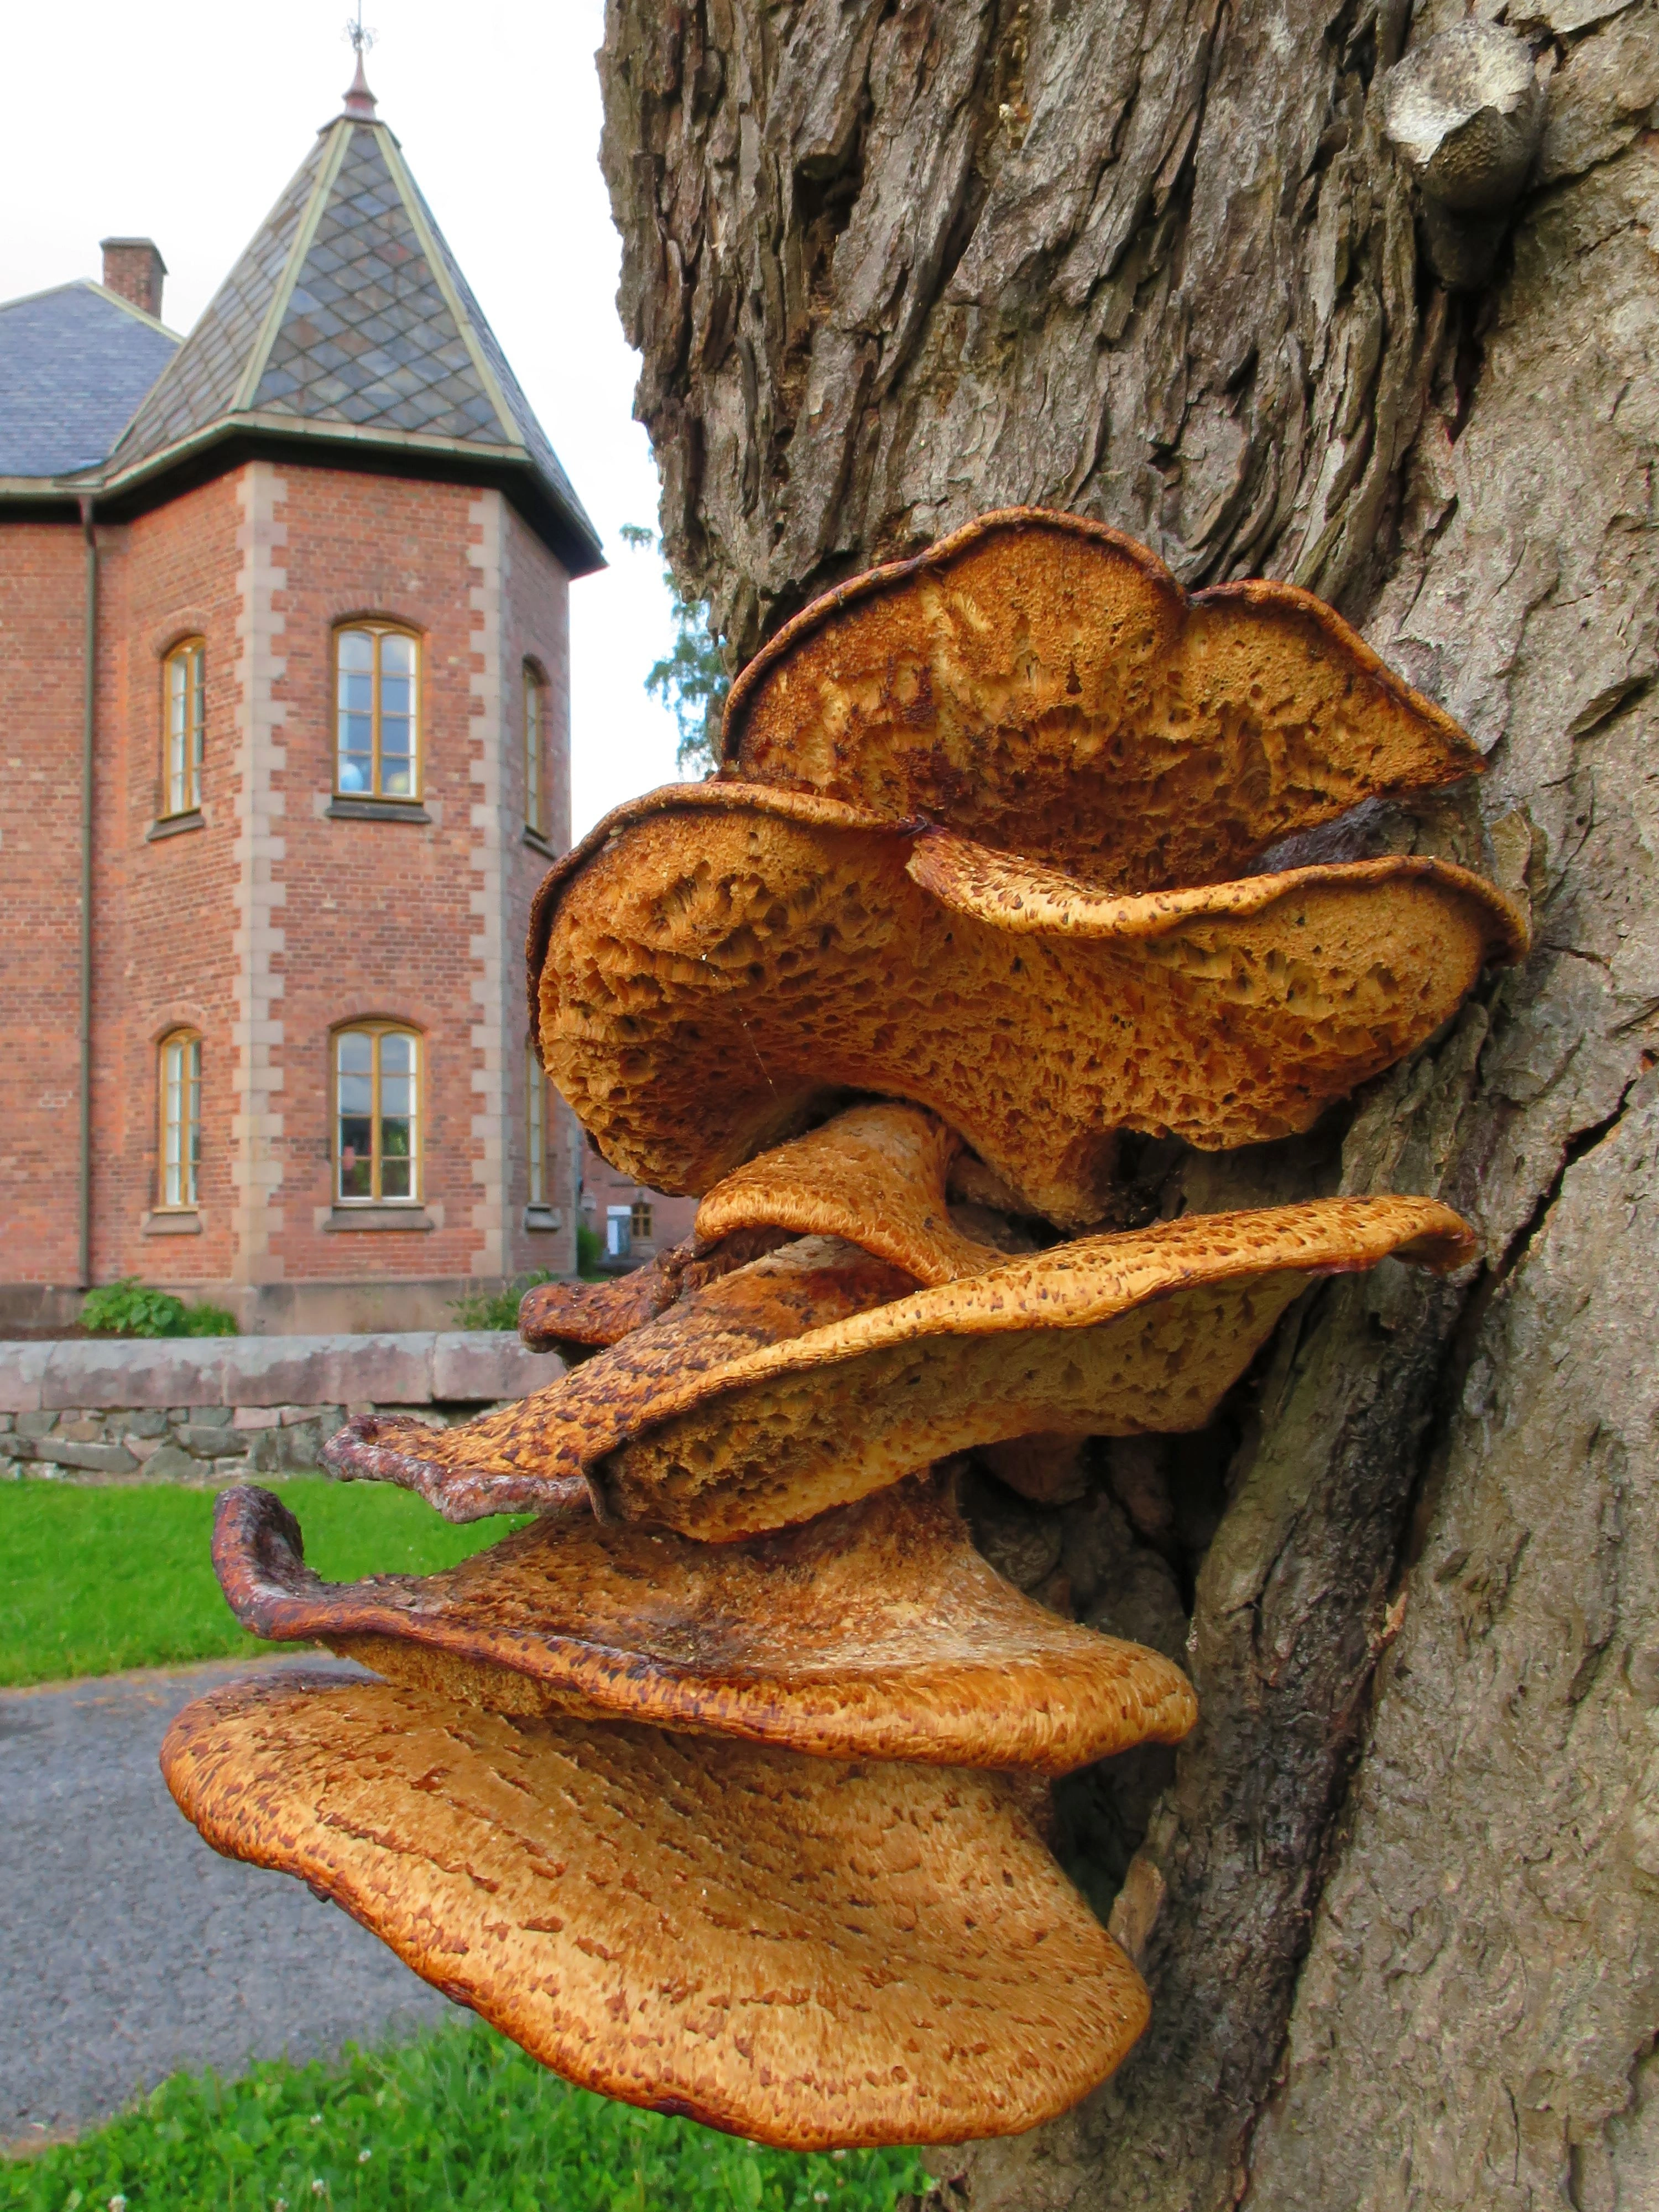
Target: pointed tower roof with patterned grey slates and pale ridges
<point>348,324</point>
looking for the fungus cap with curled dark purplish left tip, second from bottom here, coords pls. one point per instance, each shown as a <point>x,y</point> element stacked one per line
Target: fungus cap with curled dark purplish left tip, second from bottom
<point>868,1634</point>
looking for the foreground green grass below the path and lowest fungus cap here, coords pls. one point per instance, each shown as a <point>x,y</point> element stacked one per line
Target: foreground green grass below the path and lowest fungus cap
<point>459,2118</point>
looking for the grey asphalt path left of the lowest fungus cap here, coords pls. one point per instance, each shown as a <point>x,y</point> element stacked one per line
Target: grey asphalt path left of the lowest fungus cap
<point>127,1948</point>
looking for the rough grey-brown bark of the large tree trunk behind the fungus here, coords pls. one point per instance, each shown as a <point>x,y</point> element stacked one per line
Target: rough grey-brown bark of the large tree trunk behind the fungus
<point>895,262</point>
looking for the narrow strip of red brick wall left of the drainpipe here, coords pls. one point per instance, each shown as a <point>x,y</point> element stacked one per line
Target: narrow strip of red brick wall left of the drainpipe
<point>41,740</point>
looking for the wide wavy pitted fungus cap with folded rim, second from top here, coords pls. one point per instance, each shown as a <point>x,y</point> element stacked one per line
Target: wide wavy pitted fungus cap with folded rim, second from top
<point>720,961</point>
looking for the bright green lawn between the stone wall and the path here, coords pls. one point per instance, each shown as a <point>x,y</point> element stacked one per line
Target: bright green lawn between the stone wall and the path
<point>96,1580</point>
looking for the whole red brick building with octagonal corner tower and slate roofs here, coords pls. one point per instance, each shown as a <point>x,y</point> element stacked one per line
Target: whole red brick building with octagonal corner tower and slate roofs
<point>284,691</point>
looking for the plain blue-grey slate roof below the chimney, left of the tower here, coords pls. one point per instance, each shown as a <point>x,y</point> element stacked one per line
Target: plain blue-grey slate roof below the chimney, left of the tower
<point>74,366</point>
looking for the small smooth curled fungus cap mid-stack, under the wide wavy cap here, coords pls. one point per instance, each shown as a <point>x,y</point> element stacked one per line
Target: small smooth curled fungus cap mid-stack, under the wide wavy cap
<point>873,1176</point>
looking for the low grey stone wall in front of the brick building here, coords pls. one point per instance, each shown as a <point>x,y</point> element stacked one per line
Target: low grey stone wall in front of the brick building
<point>222,1408</point>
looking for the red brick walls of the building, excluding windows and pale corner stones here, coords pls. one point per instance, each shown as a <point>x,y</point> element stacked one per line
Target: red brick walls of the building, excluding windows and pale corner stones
<point>377,919</point>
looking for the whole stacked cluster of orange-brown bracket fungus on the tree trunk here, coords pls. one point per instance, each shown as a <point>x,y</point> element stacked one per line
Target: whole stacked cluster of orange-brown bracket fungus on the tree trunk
<point>720,1788</point>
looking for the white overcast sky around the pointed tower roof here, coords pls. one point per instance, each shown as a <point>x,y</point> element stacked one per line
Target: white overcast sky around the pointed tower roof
<point>182,123</point>
